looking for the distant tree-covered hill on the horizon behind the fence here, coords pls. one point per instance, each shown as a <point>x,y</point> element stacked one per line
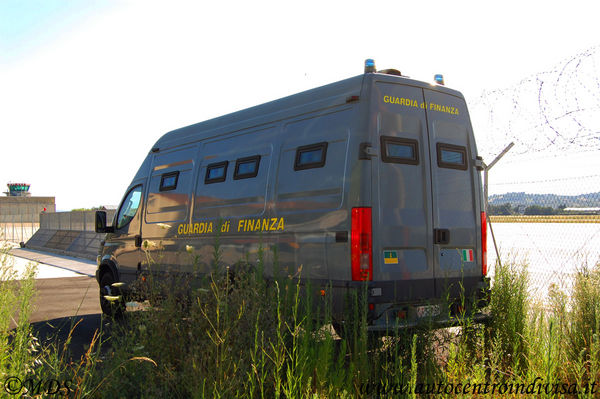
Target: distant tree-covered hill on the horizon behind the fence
<point>552,200</point>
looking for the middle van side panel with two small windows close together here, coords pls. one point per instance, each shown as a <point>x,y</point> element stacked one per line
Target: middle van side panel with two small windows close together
<point>227,213</point>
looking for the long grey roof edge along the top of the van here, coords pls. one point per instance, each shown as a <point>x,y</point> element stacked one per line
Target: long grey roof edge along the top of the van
<point>330,95</point>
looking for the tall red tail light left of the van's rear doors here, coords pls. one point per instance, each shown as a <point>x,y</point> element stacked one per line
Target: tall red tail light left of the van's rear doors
<point>361,243</point>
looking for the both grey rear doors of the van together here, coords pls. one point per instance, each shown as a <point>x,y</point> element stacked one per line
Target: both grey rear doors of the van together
<point>424,208</point>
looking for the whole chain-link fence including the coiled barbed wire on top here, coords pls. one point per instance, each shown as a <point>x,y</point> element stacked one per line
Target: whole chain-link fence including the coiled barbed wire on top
<point>544,195</point>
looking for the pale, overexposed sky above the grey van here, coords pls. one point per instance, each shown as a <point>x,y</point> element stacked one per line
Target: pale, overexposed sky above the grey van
<point>87,87</point>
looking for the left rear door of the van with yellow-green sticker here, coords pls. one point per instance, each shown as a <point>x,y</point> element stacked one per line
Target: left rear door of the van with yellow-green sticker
<point>402,198</point>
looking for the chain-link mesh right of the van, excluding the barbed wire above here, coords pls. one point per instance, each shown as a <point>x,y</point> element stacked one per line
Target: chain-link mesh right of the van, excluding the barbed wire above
<point>553,235</point>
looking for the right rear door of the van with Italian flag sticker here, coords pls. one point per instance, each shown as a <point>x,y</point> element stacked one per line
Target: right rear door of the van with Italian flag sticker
<point>455,216</point>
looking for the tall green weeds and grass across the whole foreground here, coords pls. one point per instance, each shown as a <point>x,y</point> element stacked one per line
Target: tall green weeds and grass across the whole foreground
<point>236,335</point>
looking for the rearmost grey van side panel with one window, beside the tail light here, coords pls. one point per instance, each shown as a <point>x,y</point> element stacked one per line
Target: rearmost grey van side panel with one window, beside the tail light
<point>311,199</point>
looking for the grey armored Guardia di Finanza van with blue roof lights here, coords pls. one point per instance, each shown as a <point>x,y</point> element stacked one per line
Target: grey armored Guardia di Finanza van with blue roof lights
<point>370,180</point>
